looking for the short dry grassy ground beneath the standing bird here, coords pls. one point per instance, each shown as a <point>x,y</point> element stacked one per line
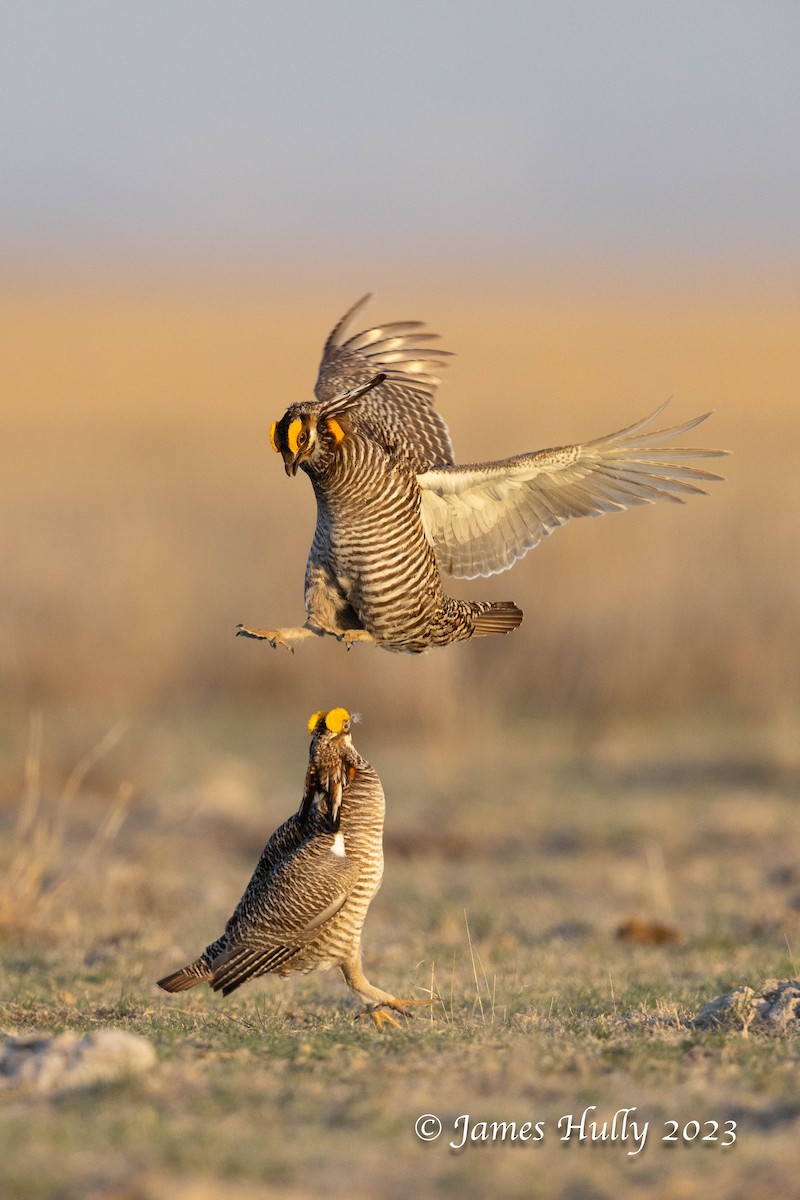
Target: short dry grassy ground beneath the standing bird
<point>510,868</point>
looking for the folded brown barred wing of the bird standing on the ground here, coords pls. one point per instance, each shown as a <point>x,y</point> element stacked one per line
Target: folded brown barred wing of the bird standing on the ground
<point>294,907</point>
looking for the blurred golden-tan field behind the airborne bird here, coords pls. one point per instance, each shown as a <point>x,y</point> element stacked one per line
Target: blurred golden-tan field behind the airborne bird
<point>145,515</point>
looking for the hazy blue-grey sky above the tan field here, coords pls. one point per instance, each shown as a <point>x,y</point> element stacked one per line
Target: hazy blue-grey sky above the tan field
<point>484,133</point>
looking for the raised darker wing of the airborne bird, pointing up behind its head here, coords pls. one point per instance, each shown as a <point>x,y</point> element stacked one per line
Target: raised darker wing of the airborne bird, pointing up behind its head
<point>400,413</point>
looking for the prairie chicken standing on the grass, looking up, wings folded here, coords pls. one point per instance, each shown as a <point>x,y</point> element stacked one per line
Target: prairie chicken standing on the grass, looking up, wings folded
<point>305,907</point>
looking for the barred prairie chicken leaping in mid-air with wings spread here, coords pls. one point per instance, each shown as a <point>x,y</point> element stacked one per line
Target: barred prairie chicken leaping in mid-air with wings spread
<point>394,509</point>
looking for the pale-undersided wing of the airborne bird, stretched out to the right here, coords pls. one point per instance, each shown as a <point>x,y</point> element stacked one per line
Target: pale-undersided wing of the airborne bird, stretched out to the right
<point>483,518</point>
